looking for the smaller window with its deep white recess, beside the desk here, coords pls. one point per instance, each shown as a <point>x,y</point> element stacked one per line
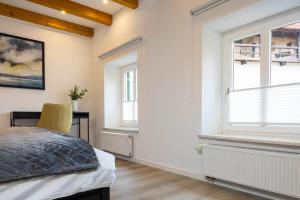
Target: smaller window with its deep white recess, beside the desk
<point>120,92</point>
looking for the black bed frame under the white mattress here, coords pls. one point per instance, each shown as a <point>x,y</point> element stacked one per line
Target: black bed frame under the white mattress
<point>97,194</point>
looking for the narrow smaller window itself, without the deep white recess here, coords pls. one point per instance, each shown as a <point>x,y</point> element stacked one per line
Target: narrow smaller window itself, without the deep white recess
<point>129,96</point>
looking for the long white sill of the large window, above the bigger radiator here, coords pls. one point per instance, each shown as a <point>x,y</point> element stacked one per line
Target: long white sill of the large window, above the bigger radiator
<point>256,139</point>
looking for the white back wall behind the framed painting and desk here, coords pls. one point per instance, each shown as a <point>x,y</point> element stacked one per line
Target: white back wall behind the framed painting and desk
<point>67,62</point>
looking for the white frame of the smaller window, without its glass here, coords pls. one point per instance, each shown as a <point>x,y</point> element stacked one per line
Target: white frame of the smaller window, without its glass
<point>124,69</point>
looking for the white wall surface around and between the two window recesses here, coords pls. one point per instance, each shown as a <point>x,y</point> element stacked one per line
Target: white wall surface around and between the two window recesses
<point>170,71</point>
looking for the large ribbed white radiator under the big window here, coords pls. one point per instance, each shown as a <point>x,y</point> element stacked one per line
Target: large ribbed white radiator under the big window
<point>277,172</point>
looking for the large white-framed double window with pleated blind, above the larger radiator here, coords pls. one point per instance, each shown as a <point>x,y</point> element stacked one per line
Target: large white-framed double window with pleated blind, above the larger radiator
<point>264,89</point>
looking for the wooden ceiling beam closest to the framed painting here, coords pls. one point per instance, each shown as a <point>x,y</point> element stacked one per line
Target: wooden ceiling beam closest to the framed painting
<point>44,20</point>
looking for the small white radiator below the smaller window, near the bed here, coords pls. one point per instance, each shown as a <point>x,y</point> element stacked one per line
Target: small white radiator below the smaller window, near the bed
<point>118,143</point>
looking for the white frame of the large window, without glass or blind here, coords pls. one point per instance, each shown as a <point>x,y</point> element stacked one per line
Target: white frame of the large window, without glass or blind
<point>264,28</point>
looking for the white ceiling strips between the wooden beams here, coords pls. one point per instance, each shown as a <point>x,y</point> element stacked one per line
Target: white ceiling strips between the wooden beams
<point>111,8</point>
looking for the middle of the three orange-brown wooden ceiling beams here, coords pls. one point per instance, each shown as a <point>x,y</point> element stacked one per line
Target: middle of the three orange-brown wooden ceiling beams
<point>77,9</point>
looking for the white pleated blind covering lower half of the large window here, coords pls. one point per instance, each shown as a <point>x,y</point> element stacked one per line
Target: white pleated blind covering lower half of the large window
<point>267,105</point>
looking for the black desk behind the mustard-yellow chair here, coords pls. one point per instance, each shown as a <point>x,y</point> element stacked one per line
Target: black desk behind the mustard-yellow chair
<point>36,115</point>
